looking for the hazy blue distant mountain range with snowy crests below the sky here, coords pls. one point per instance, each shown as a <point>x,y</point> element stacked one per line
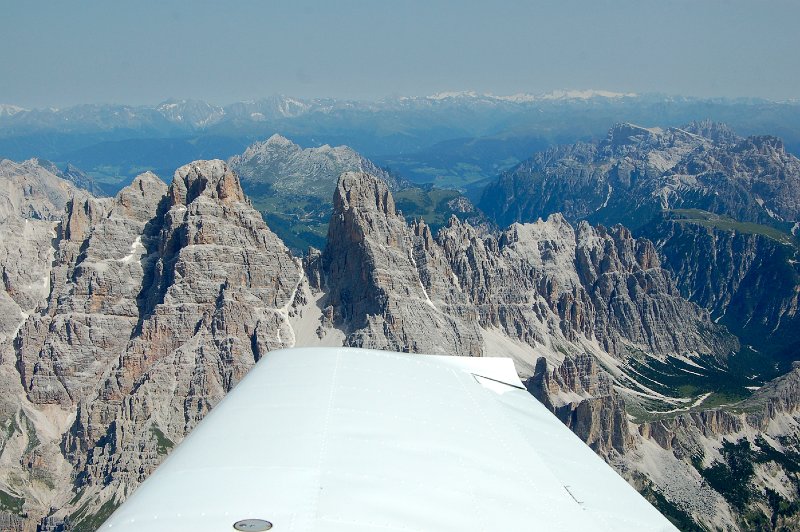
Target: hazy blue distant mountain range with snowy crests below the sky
<point>456,140</point>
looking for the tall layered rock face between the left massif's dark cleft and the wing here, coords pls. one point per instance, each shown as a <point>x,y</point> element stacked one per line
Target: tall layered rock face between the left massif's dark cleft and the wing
<point>217,296</point>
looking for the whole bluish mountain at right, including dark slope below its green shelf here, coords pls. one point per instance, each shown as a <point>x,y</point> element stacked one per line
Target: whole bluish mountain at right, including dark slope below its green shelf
<point>722,211</point>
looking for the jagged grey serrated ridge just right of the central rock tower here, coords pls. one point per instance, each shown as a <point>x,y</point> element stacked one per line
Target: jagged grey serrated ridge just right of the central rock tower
<point>547,279</point>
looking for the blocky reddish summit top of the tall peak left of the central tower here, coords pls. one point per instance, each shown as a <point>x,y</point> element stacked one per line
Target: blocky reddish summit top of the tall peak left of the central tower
<point>205,178</point>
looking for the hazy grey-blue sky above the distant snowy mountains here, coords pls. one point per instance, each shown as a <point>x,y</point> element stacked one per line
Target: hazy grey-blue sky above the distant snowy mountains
<point>59,53</point>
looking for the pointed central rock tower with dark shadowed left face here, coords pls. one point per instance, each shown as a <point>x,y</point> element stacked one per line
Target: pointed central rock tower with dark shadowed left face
<point>385,287</point>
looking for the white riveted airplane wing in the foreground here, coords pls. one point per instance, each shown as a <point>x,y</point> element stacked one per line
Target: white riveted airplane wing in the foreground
<point>340,439</point>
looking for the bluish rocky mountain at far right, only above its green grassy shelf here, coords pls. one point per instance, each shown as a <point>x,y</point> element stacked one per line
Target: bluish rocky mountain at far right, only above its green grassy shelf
<point>637,172</point>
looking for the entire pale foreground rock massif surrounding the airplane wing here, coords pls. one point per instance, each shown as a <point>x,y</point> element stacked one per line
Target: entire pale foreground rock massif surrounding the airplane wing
<point>139,312</point>
